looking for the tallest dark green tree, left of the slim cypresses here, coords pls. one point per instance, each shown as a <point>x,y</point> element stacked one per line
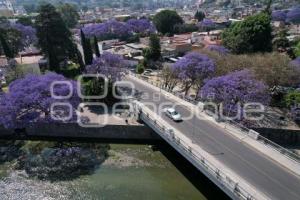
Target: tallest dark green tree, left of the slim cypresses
<point>55,39</point>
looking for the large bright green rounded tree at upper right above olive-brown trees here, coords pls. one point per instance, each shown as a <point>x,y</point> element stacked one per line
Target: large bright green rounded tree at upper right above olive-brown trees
<point>249,36</point>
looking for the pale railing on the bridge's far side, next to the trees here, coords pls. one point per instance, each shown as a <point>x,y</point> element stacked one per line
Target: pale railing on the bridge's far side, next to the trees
<point>289,154</point>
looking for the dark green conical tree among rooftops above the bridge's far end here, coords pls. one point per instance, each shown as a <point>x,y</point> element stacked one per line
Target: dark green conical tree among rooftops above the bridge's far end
<point>154,51</point>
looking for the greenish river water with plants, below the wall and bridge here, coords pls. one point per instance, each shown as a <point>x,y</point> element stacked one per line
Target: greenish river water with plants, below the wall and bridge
<point>53,170</point>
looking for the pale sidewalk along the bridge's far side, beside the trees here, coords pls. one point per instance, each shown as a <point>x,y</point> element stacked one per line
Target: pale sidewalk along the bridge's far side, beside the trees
<point>269,152</point>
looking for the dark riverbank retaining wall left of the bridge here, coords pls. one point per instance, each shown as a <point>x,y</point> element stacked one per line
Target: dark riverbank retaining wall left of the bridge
<point>72,130</point>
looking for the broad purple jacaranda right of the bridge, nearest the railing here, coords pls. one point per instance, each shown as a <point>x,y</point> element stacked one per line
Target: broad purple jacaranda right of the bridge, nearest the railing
<point>235,88</point>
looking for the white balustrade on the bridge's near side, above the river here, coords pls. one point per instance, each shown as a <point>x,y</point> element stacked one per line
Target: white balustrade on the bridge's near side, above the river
<point>225,180</point>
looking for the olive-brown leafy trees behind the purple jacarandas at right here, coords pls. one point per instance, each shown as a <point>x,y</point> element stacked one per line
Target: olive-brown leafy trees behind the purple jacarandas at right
<point>272,68</point>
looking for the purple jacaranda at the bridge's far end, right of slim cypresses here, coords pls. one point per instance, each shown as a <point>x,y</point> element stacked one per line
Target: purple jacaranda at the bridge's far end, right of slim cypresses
<point>108,64</point>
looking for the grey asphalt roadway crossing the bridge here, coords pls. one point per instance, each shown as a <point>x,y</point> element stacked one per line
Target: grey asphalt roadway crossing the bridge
<point>271,178</point>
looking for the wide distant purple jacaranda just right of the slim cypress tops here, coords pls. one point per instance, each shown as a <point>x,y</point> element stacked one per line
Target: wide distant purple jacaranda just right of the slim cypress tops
<point>108,30</point>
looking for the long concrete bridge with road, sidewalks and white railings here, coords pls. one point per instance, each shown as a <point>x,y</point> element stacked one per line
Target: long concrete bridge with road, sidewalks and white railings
<point>232,158</point>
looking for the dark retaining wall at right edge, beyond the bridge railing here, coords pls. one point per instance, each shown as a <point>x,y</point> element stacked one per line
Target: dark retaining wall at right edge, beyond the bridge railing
<point>280,136</point>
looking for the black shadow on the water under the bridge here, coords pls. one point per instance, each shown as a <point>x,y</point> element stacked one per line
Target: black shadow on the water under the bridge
<point>199,180</point>
